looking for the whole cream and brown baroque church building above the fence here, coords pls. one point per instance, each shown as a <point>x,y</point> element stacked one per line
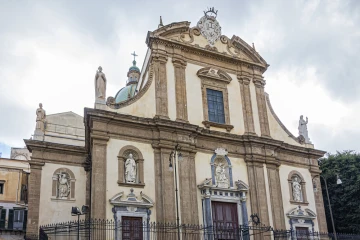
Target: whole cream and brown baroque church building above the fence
<point>198,92</point>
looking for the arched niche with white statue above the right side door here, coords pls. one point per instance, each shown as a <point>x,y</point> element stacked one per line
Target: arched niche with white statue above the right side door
<point>297,188</point>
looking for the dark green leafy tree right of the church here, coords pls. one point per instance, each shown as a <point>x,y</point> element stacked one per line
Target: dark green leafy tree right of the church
<point>344,198</point>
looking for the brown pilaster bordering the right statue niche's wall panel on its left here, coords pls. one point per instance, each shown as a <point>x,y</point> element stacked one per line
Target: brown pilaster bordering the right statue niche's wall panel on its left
<point>276,197</point>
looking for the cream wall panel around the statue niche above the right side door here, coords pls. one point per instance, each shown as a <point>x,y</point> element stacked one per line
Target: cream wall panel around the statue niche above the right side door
<point>284,171</point>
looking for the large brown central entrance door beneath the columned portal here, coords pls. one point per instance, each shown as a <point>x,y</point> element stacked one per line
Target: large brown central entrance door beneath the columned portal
<point>225,220</point>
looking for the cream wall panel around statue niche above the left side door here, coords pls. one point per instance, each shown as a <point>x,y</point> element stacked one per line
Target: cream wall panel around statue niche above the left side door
<point>112,187</point>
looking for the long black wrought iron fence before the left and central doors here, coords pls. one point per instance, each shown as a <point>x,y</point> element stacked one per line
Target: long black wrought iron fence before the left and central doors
<point>126,230</point>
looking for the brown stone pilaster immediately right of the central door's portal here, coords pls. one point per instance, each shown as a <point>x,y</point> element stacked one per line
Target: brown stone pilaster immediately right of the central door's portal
<point>258,196</point>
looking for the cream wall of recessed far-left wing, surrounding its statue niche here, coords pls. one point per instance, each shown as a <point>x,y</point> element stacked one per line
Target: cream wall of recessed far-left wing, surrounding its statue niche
<point>56,211</point>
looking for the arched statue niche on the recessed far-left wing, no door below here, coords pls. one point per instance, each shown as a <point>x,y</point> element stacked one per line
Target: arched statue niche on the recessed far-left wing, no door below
<point>63,184</point>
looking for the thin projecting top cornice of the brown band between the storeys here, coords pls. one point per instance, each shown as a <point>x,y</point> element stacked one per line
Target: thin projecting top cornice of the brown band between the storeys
<point>196,132</point>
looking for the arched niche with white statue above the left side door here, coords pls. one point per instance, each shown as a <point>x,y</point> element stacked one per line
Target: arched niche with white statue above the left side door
<point>130,167</point>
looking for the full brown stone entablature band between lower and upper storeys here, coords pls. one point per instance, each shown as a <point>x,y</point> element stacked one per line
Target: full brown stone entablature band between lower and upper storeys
<point>149,130</point>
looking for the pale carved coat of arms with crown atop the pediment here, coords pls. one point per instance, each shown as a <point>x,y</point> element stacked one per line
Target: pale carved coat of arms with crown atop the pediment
<point>209,26</point>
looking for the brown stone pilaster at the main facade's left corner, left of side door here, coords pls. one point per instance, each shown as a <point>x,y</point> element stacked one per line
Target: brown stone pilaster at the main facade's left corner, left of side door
<point>98,177</point>
